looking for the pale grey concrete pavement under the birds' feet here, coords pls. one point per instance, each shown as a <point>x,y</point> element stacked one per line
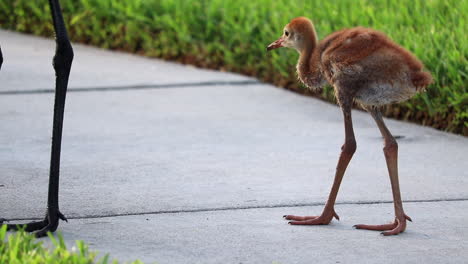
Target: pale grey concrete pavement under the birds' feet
<point>167,163</point>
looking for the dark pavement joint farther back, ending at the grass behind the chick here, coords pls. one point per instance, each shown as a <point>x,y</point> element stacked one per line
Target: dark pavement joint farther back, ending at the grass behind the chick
<point>135,87</point>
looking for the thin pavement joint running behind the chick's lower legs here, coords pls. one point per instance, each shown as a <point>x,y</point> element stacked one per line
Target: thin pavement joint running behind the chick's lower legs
<point>216,209</point>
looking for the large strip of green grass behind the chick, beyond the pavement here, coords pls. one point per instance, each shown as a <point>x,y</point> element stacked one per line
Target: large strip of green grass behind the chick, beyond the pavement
<point>232,35</point>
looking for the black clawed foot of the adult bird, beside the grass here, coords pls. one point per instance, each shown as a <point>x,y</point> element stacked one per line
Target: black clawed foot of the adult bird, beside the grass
<point>39,228</point>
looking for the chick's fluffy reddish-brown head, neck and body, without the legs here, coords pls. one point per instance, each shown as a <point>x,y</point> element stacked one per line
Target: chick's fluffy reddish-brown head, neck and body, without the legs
<point>360,63</point>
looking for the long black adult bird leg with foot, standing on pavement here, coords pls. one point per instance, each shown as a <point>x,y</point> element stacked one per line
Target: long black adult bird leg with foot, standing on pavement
<point>62,64</point>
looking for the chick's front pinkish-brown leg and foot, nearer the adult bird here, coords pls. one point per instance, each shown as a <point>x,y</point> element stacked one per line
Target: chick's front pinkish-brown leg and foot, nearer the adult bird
<point>347,151</point>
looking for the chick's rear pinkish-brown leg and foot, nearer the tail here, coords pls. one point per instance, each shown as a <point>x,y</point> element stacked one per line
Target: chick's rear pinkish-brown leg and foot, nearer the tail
<point>391,157</point>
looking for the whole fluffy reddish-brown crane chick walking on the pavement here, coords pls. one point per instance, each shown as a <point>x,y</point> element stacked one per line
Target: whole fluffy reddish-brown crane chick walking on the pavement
<point>365,65</point>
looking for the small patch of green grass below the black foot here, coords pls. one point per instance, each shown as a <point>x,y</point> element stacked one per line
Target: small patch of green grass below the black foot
<point>23,248</point>
